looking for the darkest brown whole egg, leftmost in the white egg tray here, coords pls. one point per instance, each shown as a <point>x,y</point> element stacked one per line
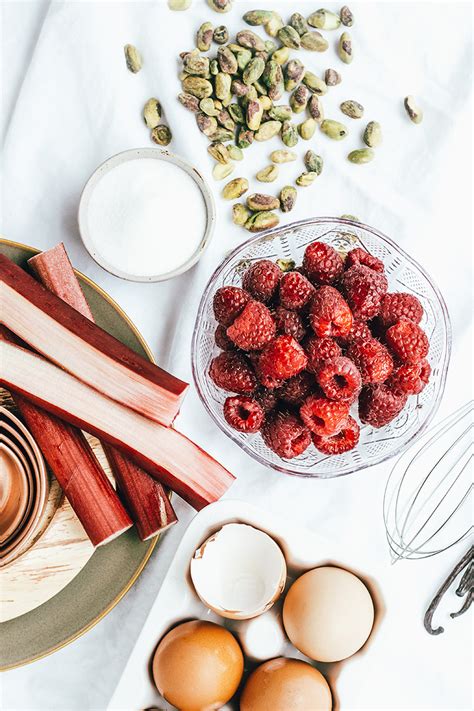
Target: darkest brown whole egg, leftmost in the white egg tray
<point>198,666</point>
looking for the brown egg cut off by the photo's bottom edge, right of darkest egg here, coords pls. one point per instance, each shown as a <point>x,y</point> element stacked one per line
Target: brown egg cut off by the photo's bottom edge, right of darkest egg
<point>286,685</point>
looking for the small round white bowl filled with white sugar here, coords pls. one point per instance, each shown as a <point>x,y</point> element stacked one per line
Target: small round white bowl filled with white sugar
<point>146,215</point>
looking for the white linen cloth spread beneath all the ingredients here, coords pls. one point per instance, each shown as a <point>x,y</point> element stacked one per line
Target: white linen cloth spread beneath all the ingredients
<point>68,103</point>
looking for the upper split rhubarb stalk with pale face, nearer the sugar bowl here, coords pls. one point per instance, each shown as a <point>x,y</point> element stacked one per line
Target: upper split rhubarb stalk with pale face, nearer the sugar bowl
<point>52,327</point>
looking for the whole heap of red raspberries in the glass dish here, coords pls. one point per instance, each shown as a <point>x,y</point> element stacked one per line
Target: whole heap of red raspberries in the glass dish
<point>300,347</point>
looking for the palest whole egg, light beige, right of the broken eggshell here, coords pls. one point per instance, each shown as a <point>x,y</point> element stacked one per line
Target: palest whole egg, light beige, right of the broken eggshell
<point>328,614</point>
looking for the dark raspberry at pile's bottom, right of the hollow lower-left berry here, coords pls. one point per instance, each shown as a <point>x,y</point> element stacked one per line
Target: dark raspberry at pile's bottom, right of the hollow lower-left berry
<point>285,434</point>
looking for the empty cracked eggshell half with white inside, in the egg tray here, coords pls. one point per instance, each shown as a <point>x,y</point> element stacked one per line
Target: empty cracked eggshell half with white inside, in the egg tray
<point>239,571</point>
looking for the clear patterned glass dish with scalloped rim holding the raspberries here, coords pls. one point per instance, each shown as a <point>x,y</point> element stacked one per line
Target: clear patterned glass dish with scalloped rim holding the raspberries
<point>403,273</point>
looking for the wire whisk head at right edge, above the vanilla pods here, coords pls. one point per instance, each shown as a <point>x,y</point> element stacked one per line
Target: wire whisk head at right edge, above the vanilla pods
<point>427,504</point>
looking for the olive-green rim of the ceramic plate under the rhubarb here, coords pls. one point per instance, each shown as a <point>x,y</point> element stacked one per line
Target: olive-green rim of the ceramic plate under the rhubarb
<point>113,569</point>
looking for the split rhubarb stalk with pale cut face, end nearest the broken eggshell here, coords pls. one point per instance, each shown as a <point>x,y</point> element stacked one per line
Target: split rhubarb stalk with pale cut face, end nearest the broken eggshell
<point>161,451</point>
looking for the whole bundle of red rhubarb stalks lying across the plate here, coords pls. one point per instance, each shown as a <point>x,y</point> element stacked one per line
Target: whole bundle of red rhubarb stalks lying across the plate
<point>67,375</point>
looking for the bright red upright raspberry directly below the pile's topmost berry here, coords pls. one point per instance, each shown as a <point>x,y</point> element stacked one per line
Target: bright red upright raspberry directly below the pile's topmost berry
<point>329,314</point>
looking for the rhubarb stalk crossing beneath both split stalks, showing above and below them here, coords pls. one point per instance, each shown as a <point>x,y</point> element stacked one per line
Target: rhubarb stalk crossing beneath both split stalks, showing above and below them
<point>144,497</point>
